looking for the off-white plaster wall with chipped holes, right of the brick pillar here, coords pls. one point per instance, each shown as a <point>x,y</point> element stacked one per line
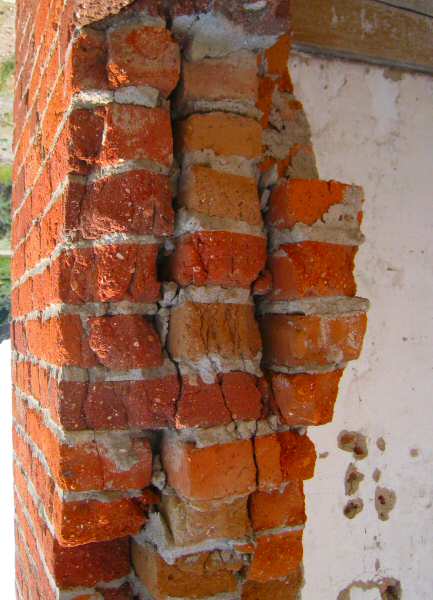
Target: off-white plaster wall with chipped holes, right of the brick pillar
<point>375,129</point>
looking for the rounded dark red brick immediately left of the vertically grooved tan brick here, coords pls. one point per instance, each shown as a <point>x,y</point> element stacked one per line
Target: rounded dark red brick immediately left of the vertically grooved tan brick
<point>125,342</point>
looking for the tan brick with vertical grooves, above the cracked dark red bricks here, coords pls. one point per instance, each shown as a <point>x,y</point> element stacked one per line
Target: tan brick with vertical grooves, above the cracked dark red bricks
<point>227,330</point>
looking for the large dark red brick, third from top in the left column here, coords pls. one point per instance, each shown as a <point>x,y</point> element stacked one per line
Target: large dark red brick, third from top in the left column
<point>136,202</point>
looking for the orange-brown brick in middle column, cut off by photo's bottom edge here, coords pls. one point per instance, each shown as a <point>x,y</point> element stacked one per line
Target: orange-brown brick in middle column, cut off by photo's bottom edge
<point>194,576</point>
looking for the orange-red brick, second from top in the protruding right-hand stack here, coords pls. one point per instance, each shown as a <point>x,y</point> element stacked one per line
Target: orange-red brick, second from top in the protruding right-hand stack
<point>312,269</point>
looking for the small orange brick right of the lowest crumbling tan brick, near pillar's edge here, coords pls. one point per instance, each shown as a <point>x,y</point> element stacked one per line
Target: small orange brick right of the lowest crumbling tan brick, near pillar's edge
<point>270,510</point>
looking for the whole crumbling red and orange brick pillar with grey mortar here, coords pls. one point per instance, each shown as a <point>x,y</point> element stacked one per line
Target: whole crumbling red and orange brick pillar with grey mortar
<point>184,301</point>
